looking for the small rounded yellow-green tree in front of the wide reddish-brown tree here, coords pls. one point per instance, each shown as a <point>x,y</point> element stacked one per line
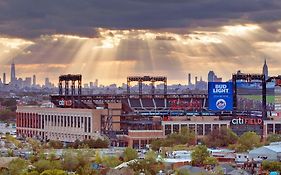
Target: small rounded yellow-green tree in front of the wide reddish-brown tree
<point>199,155</point>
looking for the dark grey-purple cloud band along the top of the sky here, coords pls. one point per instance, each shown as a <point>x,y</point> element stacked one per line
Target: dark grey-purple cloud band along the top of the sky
<point>31,18</point>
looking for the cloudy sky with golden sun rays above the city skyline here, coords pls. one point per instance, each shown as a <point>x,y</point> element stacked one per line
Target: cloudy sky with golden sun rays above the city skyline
<point>112,39</point>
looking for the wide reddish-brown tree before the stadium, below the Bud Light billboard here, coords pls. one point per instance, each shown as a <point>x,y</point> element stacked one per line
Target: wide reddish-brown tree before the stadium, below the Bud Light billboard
<point>220,137</point>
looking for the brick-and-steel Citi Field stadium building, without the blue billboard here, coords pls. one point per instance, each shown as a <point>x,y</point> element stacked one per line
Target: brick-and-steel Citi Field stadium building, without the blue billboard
<point>133,119</point>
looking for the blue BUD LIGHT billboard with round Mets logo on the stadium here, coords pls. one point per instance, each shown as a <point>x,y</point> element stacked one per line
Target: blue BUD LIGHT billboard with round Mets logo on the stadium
<point>220,95</point>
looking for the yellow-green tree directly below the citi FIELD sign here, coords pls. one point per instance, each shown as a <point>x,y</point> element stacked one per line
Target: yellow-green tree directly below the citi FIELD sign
<point>248,141</point>
